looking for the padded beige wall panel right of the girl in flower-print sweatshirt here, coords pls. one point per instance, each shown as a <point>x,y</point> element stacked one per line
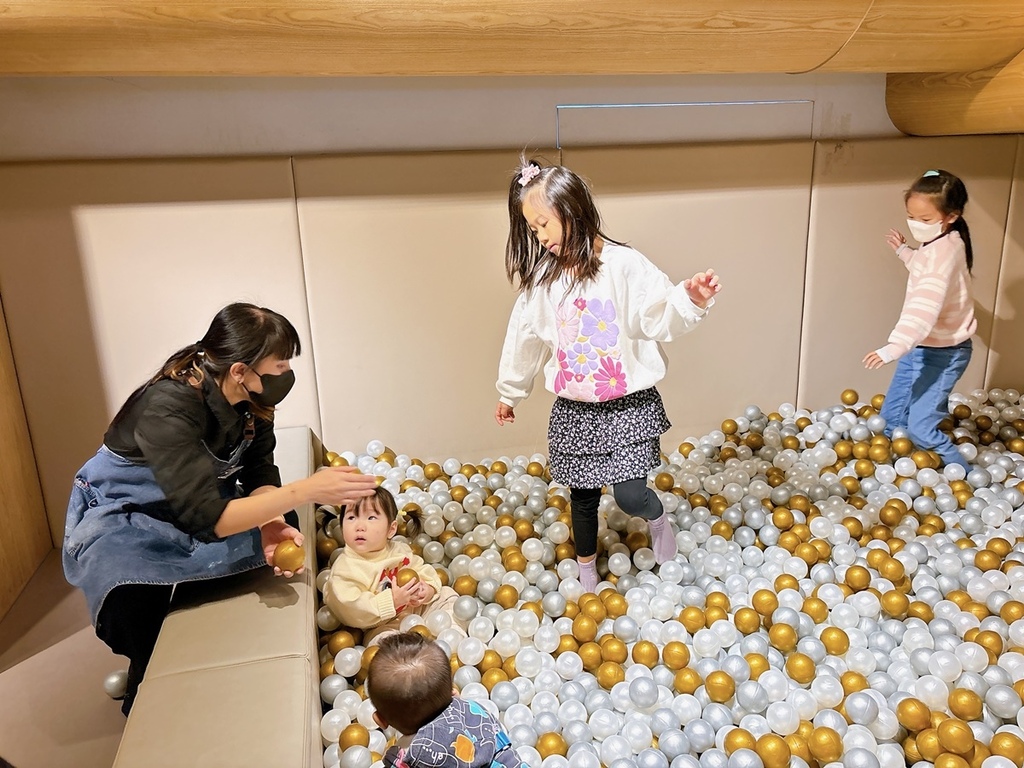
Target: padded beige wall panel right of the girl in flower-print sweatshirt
<point>741,209</point>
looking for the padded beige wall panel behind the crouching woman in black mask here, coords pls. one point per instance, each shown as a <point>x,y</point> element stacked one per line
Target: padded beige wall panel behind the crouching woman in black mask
<point>108,269</point>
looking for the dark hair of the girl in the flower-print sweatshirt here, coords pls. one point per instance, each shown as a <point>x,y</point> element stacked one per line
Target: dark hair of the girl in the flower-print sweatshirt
<point>527,262</point>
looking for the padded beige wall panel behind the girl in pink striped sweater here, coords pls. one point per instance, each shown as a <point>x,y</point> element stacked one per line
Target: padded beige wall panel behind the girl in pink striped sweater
<point>856,285</point>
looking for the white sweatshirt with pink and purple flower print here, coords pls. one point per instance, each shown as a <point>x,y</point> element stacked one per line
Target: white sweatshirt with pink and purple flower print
<point>602,342</point>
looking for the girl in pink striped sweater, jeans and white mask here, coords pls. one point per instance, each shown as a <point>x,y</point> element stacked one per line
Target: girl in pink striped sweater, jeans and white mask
<point>932,339</point>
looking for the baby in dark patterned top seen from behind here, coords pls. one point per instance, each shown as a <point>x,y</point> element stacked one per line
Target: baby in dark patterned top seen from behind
<point>410,685</point>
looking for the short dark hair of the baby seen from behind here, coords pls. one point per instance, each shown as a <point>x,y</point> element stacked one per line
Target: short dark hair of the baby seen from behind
<point>410,681</point>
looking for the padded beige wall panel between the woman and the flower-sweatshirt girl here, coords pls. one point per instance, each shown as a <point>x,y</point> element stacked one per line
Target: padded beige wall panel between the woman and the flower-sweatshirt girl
<point>409,303</point>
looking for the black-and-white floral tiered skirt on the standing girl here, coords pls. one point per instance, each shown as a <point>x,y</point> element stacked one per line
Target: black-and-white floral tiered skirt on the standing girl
<point>592,445</point>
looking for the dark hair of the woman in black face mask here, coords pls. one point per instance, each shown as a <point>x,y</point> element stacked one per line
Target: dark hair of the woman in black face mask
<point>239,333</point>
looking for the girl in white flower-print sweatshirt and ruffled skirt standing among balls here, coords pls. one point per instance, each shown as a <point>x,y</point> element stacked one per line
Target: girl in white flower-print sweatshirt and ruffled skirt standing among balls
<point>600,310</point>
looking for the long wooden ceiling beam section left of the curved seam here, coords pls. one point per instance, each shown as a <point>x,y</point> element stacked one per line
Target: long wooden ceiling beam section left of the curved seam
<point>422,37</point>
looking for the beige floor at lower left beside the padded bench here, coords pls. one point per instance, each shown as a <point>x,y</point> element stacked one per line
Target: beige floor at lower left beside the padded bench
<point>54,711</point>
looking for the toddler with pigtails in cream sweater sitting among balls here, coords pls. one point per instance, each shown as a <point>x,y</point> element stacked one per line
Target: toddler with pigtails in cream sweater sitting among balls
<point>364,590</point>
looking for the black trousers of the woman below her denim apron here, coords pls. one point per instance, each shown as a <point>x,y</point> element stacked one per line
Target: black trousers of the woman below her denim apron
<point>130,622</point>
